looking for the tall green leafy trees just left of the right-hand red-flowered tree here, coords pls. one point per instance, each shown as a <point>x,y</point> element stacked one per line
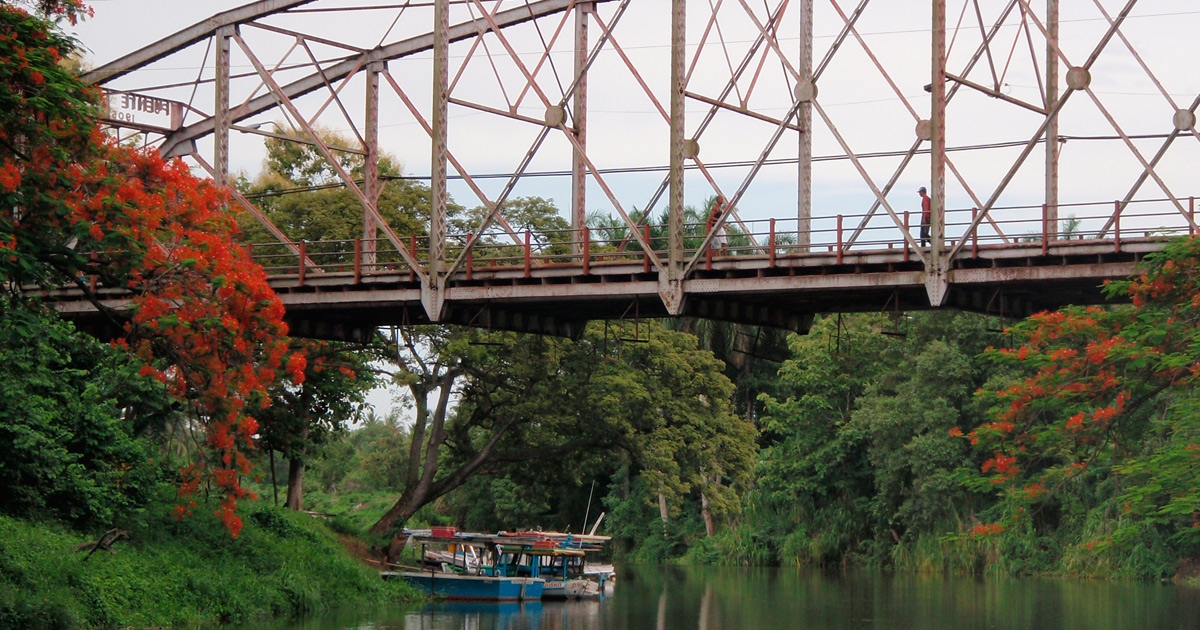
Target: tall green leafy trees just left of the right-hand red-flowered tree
<point>857,457</point>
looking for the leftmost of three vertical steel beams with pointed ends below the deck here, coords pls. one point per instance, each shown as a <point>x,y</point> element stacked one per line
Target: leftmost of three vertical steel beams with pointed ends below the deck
<point>433,293</point>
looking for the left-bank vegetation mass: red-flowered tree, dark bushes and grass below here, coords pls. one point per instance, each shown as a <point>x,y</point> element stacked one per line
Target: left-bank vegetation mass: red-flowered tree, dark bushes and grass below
<point>145,442</point>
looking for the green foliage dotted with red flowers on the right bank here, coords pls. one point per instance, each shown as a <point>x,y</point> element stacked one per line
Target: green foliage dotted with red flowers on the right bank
<point>1093,447</point>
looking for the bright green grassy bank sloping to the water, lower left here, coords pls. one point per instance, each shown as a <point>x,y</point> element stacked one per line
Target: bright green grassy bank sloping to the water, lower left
<point>183,573</point>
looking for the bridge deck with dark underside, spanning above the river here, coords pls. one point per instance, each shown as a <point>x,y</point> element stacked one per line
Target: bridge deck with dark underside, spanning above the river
<point>350,299</point>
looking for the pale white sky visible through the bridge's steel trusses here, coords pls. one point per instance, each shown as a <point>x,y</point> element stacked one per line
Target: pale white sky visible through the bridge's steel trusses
<point>628,131</point>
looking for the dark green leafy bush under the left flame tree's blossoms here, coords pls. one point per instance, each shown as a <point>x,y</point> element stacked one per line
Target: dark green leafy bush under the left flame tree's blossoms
<point>69,419</point>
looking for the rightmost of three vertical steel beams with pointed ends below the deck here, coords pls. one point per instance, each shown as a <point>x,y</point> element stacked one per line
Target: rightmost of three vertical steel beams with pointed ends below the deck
<point>937,277</point>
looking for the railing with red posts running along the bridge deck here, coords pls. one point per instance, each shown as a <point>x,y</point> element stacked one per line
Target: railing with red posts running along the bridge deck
<point>831,239</point>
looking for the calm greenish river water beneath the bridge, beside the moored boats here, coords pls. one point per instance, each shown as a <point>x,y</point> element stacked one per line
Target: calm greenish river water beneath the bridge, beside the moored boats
<point>653,598</point>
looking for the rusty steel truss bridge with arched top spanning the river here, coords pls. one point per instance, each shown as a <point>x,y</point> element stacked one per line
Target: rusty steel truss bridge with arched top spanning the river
<point>737,103</point>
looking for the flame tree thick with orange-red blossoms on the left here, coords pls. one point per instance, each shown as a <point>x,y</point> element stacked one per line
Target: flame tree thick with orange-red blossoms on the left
<point>76,205</point>
